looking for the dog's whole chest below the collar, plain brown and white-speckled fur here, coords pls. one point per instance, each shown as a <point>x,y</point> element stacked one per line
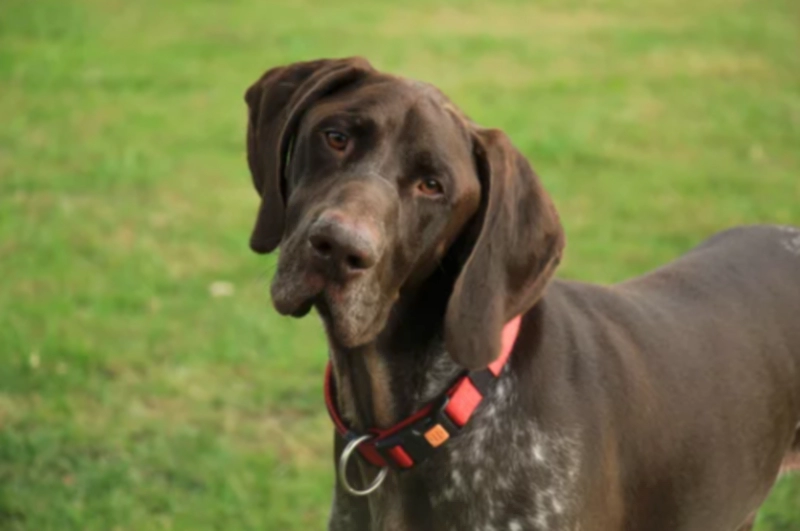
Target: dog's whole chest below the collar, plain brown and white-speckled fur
<point>502,473</point>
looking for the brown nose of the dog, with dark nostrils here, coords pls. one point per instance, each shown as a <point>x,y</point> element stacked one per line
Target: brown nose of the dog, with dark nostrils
<point>343,244</point>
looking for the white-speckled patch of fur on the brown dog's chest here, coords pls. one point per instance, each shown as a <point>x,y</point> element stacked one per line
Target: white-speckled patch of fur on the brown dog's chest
<point>508,475</point>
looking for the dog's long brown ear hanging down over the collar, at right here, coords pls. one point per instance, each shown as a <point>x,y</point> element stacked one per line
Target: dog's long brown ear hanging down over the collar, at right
<point>517,246</point>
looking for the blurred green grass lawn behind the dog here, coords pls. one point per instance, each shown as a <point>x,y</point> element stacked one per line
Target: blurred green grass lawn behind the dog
<point>133,399</point>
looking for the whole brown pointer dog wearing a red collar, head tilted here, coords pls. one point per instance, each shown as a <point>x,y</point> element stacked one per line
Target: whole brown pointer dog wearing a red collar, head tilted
<point>669,402</point>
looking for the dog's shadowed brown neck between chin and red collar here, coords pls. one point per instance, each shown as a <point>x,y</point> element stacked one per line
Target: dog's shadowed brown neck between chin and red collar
<point>406,366</point>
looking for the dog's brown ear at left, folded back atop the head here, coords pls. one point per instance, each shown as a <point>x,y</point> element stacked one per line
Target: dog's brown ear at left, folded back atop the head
<point>277,102</point>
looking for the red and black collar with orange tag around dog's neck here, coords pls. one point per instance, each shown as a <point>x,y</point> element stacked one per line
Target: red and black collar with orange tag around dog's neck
<point>412,440</point>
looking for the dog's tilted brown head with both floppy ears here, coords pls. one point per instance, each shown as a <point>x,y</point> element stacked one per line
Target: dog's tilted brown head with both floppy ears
<point>366,182</point>
